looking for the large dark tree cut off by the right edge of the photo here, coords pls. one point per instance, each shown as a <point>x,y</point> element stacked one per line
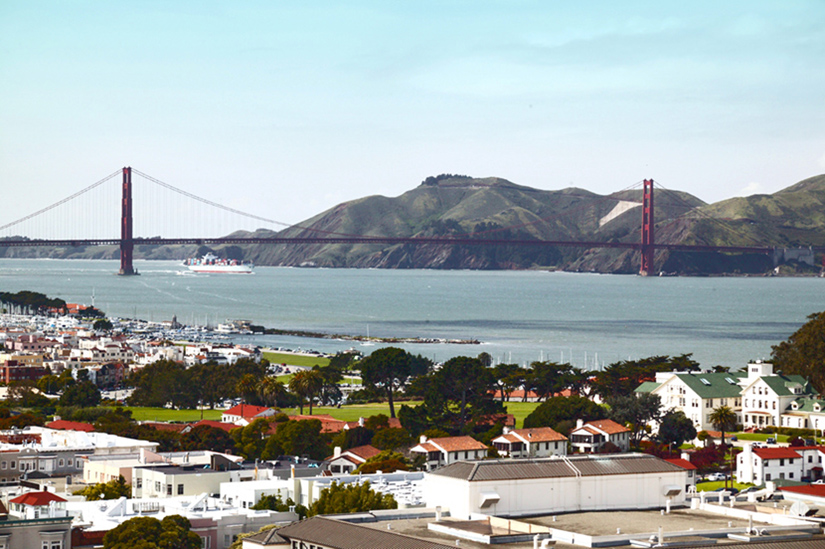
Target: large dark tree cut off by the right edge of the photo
<point>803,353</point>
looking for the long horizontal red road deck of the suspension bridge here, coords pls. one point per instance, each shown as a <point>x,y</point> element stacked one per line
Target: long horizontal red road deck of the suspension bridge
<point>389,240</point>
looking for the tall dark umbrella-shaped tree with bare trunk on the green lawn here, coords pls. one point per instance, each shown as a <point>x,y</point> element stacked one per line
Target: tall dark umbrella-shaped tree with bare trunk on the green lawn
<point>390,369</point>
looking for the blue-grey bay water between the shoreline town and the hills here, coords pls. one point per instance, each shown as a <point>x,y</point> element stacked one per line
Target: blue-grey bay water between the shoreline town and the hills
<point>519,316</point>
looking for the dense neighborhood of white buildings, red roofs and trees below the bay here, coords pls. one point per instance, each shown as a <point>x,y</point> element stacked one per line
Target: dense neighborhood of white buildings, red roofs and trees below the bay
<point>76,470</point>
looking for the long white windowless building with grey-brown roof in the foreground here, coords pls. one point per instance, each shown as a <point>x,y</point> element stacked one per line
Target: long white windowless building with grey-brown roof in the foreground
<point>520,487</point>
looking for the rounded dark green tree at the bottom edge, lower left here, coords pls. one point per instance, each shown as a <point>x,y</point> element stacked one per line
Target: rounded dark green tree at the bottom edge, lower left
<point>173,532</point>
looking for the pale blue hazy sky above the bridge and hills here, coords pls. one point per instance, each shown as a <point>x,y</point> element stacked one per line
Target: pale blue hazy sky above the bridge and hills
<point>285,109</point>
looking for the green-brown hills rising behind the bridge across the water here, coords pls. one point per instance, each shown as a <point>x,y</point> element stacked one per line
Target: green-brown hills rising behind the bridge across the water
<point>452,205</point>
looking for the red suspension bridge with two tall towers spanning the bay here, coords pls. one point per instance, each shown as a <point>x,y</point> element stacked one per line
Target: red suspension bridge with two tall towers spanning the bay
<point>126,242</point>
